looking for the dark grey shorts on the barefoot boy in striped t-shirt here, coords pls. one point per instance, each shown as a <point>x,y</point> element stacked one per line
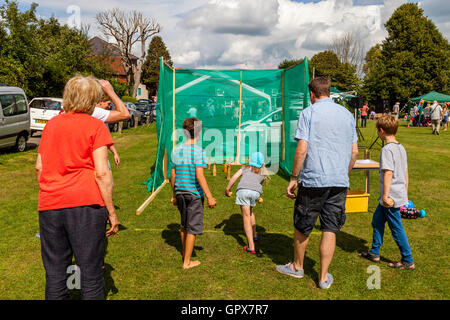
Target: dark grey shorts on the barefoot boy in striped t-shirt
<point>191,211</point>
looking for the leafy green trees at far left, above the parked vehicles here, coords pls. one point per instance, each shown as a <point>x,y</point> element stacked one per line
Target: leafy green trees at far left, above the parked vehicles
<point>41,55</point>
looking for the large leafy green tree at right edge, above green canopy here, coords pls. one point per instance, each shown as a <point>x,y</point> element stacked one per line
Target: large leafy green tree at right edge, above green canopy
<point>415,58</point>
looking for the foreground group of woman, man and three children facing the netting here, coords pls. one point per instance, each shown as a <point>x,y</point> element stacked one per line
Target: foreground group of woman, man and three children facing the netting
<point>76,186</point>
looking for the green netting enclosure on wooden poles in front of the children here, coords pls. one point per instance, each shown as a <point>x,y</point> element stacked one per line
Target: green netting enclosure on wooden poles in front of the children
<point>242,111</point>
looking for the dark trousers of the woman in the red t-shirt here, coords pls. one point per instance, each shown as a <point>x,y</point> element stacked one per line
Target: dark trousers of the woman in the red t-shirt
<point>73,232</point>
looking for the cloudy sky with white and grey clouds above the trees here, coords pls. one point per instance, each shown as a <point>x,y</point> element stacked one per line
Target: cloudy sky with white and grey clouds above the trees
<point>251,33</point>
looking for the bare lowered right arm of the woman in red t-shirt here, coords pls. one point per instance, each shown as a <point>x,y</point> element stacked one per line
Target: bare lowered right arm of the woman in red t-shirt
<point>104,181</point>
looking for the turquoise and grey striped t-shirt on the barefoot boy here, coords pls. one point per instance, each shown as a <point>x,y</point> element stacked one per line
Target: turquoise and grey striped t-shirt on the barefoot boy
<point>186,159</point>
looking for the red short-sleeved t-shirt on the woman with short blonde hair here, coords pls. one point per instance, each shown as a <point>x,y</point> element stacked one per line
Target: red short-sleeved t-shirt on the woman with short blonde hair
<point>68,172</point>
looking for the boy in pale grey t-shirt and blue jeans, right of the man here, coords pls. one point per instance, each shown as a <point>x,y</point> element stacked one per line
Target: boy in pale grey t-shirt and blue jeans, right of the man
<point>393,195</point>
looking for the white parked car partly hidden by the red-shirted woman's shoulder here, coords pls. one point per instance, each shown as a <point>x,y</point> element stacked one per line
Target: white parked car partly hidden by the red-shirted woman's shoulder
<point>42,110</point>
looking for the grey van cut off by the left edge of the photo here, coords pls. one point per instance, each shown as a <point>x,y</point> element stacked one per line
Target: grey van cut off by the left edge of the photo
<point>14,118</point>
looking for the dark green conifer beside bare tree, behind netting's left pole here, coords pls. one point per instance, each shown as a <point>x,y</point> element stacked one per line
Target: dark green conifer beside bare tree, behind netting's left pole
<point>150,68</point>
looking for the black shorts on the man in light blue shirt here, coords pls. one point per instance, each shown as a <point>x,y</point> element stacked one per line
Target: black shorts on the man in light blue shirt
<point>327,203</point>
